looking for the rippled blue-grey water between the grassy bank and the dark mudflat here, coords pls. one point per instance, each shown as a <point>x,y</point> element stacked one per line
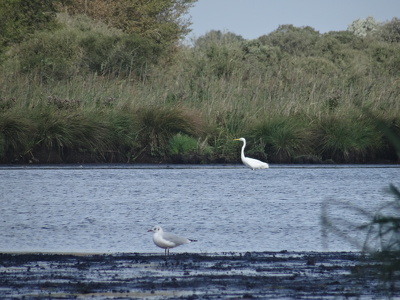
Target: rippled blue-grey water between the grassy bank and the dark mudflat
<point>110,208</point>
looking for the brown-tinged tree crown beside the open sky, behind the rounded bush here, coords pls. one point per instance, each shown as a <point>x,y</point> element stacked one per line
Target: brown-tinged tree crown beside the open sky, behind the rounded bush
<point>159,20</point>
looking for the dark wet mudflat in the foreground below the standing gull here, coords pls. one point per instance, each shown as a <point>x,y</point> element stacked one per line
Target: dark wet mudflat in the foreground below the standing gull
<point>267,275</point>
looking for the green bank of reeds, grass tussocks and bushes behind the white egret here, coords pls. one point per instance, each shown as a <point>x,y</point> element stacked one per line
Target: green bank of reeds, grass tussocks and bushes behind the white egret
<point>93,91</point>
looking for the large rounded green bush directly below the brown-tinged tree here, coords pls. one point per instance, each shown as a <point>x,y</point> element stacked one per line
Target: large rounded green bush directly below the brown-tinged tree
<point>82,46</point>
